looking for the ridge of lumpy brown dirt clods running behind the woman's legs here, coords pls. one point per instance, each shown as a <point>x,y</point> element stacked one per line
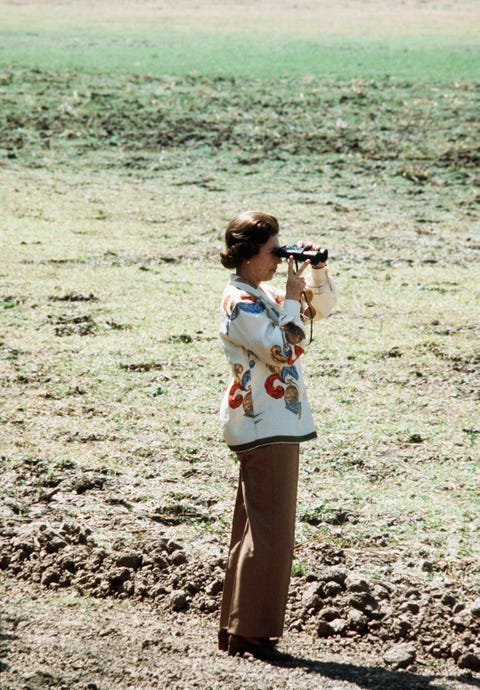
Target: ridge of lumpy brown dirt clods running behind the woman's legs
<point>405,621</point>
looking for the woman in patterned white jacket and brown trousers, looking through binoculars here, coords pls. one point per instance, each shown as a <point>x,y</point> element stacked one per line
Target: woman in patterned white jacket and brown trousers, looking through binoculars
<point>265,416</point>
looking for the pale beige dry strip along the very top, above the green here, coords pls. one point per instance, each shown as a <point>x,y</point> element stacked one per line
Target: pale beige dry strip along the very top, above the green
<point>320,17</point>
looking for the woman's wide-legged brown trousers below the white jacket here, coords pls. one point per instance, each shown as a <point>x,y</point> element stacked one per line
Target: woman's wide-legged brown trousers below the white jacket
<point>261,548</point>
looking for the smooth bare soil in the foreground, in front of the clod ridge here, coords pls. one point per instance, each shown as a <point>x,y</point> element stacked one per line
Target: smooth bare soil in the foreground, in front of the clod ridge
<point>104,644</point>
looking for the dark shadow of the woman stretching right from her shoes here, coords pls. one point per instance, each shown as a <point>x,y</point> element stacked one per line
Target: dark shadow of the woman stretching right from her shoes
<point>374,677</point>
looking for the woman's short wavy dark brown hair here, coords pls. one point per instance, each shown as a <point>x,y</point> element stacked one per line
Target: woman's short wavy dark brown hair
<point>244,236</point>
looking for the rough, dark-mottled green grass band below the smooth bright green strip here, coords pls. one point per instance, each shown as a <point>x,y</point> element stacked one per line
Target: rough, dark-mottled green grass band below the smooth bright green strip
<point>409,132</point>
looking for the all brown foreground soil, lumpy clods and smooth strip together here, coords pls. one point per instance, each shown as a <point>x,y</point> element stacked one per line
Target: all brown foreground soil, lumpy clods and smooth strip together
<point>80,613</point>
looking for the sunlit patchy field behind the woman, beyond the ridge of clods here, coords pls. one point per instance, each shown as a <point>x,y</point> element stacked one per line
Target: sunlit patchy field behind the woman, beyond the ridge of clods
<point>127,143</point>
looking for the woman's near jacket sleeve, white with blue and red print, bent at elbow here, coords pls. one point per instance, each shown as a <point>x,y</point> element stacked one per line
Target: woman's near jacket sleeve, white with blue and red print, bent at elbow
<point>248,325</point>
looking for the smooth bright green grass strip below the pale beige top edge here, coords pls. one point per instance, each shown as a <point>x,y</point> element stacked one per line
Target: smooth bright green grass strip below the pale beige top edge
<point>253,55</point>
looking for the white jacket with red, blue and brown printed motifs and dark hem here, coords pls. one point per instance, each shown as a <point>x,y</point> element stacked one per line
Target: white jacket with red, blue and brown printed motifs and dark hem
<point>264,337</point>
